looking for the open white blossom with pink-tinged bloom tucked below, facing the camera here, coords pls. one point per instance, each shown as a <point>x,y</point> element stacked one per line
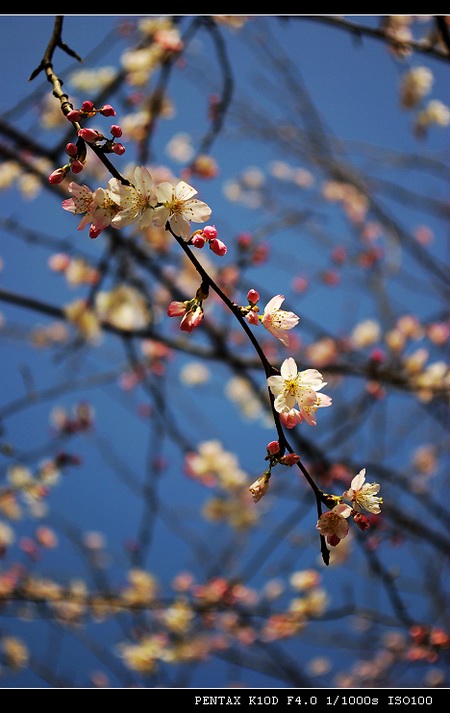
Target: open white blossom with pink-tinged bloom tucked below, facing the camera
<point>293,388</point>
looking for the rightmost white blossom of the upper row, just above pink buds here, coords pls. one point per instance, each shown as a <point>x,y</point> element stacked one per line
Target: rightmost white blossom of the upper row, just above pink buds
<point>179,207</point>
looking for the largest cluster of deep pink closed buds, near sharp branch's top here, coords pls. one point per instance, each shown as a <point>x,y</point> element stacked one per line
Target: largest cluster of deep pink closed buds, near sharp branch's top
<point>76,152</point>
